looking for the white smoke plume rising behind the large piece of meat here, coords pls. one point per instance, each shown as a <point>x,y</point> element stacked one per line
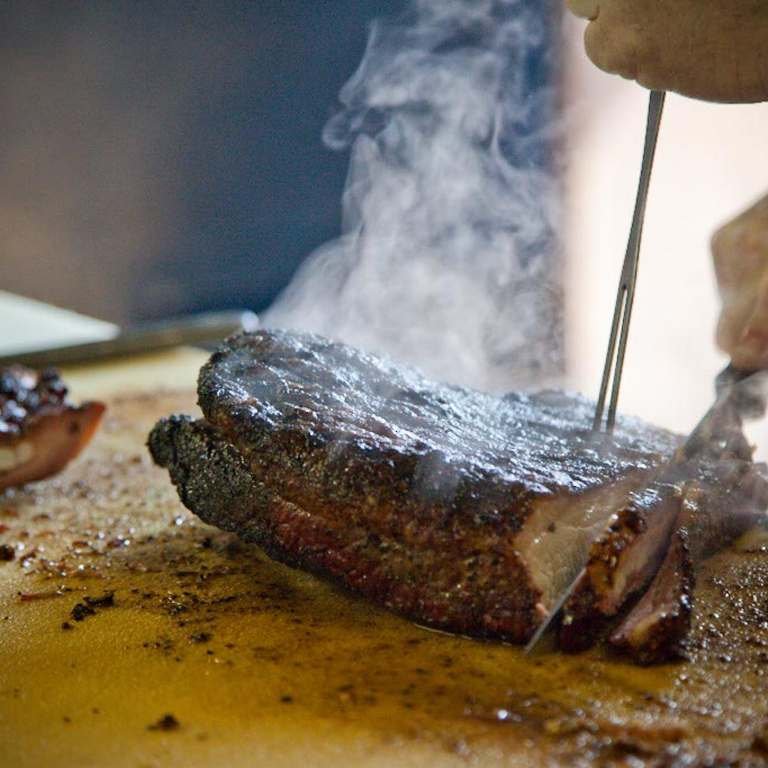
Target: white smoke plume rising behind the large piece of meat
<point>447,258</point>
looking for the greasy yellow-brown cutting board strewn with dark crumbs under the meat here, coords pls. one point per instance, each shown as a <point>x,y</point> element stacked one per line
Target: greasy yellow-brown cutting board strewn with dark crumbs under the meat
<point>131,634</point>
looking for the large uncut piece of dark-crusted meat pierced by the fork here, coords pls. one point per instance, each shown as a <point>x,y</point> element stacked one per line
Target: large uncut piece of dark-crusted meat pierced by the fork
<point>459,509</point>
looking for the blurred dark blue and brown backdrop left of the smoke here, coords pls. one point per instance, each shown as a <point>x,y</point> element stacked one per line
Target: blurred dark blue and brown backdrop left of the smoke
<point>166,157</point>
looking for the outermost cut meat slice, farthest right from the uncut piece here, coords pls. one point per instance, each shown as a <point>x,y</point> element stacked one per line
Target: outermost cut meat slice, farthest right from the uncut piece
<point>723,503</point>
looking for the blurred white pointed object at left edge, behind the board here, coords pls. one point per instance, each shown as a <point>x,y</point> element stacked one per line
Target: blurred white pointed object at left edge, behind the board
<point>26,324</point>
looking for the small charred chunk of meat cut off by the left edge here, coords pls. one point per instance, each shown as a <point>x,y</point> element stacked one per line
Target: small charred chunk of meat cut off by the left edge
<point>40,430</point>
